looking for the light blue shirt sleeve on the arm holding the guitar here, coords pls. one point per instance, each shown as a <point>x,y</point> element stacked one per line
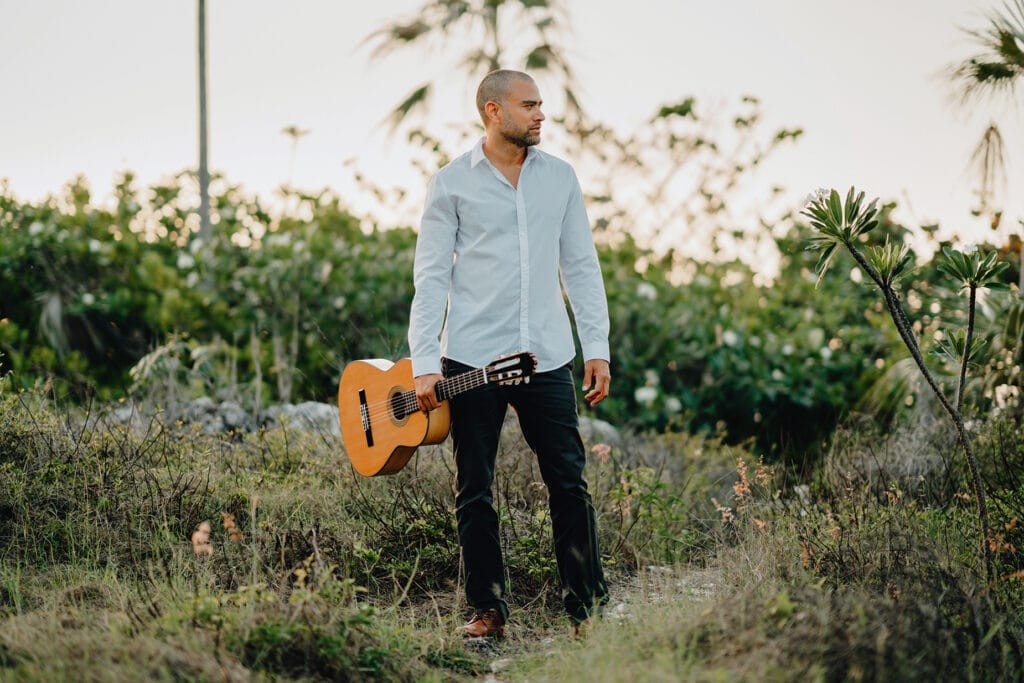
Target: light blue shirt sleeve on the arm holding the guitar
<point>433,278</point>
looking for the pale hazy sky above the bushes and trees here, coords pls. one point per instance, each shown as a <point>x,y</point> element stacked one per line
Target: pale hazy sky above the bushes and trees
<point>101,87</point>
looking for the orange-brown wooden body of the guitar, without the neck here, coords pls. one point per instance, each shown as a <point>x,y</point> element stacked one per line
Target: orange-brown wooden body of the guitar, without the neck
<point>379,437</point>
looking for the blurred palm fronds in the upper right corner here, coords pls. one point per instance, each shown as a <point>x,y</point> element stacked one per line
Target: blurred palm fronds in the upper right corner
<point>995,71</point>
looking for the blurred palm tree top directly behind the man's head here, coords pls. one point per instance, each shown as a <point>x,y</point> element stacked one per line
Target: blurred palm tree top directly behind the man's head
<point>540,21</point>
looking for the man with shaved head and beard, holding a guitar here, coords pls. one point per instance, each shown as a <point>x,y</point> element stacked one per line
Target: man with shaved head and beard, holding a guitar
<point>501,224</point>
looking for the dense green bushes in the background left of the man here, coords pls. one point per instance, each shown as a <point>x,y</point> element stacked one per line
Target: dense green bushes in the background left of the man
<point>95,290</point>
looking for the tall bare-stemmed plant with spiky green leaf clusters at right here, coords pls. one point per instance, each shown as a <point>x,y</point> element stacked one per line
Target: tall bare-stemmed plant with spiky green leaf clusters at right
<point>845,225</point>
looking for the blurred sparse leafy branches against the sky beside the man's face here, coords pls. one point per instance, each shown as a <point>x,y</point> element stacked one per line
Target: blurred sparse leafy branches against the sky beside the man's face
<point>676,182</point>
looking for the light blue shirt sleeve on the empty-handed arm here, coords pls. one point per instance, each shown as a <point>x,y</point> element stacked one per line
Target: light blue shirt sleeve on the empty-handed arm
<point>582,278</point>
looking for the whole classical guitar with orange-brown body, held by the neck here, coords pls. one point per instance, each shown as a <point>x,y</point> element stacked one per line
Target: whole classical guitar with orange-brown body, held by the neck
<point>381,422</point>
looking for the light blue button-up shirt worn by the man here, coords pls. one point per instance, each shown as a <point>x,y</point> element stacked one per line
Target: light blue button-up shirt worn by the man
<point>488,265</point>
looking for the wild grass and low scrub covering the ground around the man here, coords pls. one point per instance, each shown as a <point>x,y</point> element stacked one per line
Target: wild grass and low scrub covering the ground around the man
<point>720,570</point>
